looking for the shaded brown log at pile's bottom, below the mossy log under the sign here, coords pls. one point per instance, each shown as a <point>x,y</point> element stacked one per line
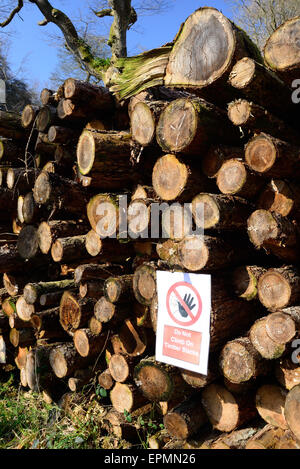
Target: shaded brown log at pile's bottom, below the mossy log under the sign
<point>186,419</point>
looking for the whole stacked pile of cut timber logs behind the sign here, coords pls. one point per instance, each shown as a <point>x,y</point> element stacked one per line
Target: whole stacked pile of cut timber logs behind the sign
<point>79,307</point>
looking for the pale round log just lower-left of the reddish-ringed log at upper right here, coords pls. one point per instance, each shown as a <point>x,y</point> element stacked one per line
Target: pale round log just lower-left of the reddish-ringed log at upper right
<point>235,179</point>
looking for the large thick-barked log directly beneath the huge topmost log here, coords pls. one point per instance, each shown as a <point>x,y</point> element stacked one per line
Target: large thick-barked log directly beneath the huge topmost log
<point>188,126</point>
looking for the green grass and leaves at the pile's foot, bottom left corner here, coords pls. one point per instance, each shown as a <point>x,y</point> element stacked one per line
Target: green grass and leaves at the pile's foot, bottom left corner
<point>26,421</point>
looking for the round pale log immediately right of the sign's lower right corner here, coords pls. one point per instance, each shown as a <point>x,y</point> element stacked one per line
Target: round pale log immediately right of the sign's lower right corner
<point>240,361</point>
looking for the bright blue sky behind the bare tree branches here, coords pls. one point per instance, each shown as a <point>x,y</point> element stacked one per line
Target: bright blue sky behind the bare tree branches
<point>30,47</point>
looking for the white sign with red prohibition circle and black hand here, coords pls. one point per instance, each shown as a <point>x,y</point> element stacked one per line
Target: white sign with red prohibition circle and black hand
<point>183,320</point>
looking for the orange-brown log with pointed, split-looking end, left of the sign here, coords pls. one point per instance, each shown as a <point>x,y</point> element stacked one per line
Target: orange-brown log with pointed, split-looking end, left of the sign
<point>74,314</point>
